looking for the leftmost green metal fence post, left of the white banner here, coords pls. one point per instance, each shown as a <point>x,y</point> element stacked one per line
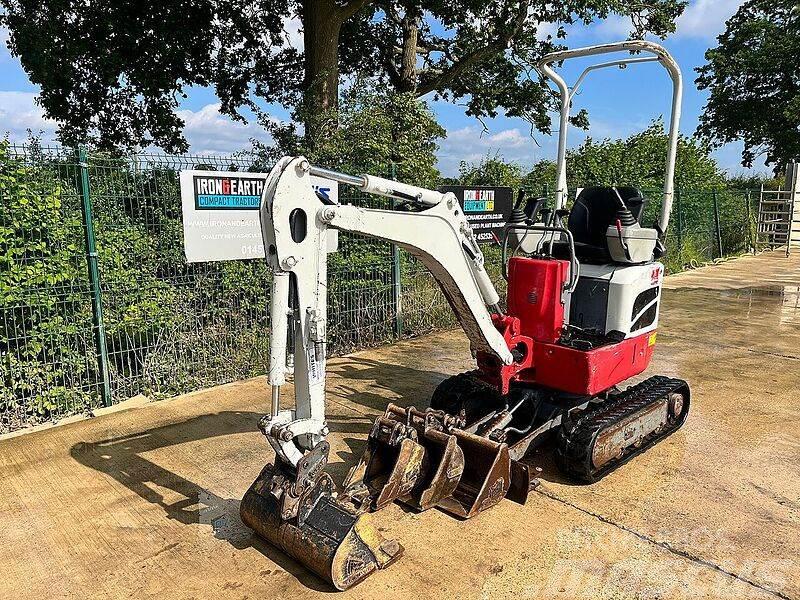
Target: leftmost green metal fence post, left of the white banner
<point>94,278</point>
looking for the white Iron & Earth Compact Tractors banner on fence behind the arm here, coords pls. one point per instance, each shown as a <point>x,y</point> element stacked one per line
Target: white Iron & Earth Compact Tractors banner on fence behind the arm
<point>220,213</point>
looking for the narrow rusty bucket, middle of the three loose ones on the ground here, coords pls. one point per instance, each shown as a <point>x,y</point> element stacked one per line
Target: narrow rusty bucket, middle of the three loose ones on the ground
<point>444,468</point>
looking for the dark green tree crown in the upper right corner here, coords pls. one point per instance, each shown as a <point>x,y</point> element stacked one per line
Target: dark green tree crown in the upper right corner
<point>752,78</point>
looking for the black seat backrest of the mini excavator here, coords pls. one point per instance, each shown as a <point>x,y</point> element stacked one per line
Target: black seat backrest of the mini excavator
<point>595,210</point>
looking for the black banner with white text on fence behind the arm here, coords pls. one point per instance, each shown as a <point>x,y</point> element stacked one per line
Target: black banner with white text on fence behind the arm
<point>487,209</point>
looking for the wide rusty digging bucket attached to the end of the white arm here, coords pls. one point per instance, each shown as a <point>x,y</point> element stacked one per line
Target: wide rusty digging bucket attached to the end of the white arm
<point>327,537</point>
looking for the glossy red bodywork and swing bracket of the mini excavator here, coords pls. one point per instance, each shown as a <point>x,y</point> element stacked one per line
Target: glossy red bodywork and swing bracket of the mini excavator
<point>533,327</point>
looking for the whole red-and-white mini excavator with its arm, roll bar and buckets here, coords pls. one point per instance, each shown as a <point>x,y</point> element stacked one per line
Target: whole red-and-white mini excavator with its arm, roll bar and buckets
<point>584,289</point>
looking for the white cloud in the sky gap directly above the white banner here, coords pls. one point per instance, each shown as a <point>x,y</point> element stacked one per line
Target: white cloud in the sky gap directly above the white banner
<point>210,132</point>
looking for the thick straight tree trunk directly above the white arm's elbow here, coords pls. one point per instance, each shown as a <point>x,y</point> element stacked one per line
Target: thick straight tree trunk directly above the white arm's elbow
<point>321,26</point>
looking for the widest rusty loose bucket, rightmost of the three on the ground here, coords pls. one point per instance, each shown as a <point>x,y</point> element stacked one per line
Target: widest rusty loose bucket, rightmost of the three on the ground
<point>486,478</point>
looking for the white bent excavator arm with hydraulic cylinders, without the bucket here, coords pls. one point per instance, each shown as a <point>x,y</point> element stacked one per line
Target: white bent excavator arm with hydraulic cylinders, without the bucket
<point>295,225</point>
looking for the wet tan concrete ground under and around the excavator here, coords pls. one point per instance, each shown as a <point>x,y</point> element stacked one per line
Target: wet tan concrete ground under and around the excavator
<point>144,503</point>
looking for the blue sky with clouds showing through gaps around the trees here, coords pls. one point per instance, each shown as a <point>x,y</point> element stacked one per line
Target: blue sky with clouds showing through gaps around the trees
<point>619,102</point>
